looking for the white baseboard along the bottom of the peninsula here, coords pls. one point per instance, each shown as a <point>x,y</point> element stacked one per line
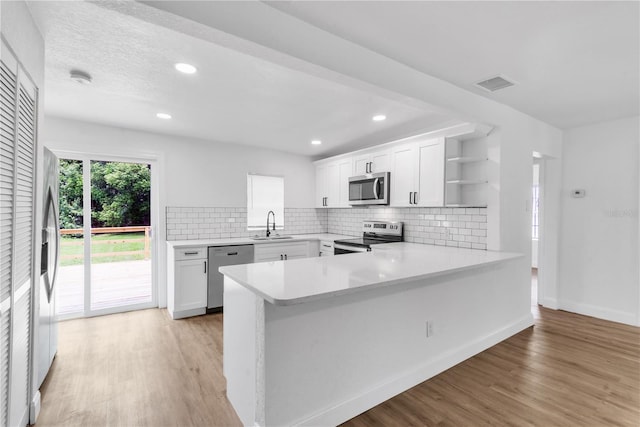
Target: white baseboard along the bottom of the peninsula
<point>414,376</point>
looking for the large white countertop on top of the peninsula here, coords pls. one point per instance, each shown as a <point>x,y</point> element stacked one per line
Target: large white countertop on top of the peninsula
<point>303,280</point>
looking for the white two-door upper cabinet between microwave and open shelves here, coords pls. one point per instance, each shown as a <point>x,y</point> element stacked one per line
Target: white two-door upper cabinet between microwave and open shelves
<point>417,173</point>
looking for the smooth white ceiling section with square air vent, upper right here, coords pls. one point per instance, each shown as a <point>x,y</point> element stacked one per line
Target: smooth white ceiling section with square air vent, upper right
<point>575,62</point>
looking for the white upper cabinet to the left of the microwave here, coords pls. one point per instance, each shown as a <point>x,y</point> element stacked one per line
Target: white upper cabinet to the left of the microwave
<point>332,183</point>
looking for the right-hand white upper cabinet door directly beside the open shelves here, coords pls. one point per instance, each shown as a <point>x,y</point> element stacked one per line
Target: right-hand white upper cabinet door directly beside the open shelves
<point>431,172</point>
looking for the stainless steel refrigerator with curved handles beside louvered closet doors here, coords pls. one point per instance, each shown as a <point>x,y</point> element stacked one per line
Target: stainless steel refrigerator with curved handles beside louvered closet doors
<point>48,326</point>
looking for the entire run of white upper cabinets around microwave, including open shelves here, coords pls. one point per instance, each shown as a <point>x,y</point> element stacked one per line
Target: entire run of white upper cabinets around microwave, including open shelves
<point>443,168</point>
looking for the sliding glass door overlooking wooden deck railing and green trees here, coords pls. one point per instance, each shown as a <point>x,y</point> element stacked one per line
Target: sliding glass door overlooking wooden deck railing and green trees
<point>106,249</point>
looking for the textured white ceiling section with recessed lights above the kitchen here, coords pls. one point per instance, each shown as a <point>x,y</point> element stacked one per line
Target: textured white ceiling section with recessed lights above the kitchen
<point>233,98</point>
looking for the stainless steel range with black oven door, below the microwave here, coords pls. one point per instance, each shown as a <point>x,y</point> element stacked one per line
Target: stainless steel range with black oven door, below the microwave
<point>373,233</point>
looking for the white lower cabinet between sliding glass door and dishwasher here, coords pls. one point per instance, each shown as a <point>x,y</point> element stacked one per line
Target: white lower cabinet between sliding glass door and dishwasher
<point>187,281</point>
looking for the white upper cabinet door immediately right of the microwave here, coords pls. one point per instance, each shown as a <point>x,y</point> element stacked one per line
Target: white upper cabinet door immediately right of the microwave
<point>403,176</point>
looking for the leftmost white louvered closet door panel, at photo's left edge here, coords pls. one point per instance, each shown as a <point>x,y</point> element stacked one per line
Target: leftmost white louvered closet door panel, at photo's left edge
<point>7,155</point>
